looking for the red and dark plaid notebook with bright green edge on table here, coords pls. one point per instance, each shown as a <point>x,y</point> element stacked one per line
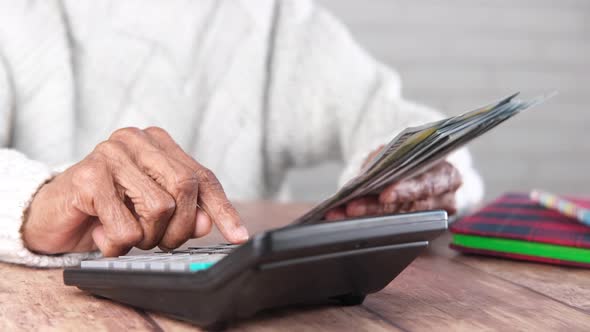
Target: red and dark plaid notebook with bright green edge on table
<point>513,226</point>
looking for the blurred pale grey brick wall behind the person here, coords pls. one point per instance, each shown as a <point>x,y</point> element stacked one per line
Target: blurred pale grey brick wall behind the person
<point>458,54</point>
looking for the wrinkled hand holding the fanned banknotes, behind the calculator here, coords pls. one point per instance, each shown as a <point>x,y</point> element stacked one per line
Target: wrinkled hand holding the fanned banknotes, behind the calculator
<point>433,189</point>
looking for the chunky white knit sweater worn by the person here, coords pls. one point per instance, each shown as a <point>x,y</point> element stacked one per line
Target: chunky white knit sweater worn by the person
<point>250,88</point>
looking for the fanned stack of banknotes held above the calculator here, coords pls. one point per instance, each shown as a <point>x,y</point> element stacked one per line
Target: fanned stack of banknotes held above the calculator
<point>417,149</point>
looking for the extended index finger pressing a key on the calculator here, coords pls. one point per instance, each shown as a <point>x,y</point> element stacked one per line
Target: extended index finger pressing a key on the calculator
<point>211,194</point>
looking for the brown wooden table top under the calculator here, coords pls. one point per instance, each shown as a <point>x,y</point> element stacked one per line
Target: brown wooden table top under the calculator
<point>439,291</point>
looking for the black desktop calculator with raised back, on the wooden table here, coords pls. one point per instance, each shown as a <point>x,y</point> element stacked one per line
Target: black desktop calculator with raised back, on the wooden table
<point>211,286</point>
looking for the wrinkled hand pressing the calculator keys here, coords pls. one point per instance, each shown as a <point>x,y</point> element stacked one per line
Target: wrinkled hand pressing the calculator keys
<point>138,188</point>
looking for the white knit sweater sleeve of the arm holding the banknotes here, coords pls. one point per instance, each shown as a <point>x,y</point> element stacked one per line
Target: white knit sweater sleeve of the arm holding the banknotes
<point>329,99</point>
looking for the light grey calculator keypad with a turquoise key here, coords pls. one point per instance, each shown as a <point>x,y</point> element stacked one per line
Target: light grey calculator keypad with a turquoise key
<point>193,259</point>
